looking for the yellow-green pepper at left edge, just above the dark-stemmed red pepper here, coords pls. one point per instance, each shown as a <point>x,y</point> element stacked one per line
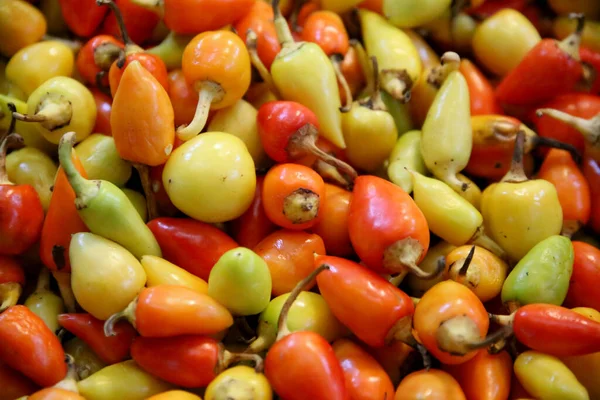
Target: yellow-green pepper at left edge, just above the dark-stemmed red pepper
<point>30,166</point>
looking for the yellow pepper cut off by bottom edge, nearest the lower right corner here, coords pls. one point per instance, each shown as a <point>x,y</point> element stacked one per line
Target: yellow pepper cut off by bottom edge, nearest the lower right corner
<point>546,377</point>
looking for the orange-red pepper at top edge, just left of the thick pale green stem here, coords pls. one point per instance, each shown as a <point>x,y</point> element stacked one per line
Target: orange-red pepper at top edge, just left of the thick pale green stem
<point>260,20</point>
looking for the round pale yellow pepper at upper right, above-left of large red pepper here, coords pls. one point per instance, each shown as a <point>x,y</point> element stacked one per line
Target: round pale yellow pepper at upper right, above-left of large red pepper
<point>502,40</point>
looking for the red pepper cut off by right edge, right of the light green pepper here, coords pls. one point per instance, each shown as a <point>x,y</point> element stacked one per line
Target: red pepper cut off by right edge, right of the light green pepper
<point>583,286</point>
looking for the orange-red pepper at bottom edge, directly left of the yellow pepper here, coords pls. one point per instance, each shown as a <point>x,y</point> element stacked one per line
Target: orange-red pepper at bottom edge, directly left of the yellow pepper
<point>484,377</point>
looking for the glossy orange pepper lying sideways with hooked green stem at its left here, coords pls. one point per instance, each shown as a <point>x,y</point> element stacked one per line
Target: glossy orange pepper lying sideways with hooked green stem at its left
<point>171,310</point>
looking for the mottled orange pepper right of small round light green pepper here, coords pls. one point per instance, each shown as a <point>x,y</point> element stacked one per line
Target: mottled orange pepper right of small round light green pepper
<point>290,257</point>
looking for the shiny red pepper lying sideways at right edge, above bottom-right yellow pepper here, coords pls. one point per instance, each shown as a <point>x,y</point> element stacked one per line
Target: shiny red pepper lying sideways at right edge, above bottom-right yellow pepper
<point>556,330</point>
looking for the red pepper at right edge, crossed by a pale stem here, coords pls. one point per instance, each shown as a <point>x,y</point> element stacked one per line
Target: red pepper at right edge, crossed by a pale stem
<point>580,105</point>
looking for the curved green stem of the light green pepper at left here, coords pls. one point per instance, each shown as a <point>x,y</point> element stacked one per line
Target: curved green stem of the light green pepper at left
<point>83,188</point>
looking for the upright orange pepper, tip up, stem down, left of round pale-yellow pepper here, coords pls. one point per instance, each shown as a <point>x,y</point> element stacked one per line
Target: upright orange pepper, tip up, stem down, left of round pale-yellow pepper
<point>142,122</point>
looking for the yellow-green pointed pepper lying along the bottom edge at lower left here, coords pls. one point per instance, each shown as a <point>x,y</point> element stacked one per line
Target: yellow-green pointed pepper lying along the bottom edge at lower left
<point>124,380</point>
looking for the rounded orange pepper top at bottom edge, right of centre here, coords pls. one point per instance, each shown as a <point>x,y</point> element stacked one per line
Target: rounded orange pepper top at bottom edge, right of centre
<point>429,384</point>
